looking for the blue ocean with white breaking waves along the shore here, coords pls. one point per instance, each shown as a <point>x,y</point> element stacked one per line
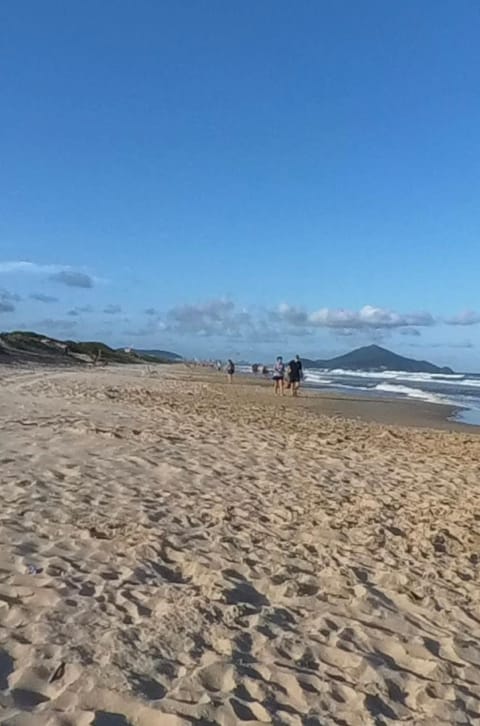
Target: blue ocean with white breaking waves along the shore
<point>459,390</point>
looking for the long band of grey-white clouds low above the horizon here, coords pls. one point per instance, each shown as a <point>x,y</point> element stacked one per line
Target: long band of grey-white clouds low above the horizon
<point>217,319</point>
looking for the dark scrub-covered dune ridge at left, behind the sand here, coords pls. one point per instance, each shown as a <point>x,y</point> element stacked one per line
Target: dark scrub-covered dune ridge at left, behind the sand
<point>20,347</point>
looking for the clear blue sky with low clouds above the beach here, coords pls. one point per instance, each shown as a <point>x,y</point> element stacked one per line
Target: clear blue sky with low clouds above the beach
<point>243,178</point>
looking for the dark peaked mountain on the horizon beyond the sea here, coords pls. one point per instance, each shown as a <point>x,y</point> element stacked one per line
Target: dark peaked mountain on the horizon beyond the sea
<point>376,358</point>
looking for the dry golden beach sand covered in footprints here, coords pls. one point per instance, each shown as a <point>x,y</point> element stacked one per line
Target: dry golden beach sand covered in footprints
<point>174,550</point>
